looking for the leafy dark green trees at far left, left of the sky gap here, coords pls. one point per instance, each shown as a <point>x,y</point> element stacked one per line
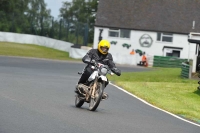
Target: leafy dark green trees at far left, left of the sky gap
<point>24,16</point>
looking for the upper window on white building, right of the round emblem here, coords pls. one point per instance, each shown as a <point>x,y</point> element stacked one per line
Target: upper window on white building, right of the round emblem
<point>164,37</point>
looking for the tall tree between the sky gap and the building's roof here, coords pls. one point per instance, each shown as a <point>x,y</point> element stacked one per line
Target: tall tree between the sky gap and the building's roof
<point>77,13</point>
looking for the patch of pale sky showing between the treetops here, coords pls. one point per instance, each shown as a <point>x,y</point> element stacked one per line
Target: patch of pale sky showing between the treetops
<point>55,5</point>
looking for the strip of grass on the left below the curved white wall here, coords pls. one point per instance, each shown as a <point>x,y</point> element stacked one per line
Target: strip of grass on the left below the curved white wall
<point>26,50</point>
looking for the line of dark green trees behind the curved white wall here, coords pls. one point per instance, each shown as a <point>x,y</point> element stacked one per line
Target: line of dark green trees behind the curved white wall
<point>74,23</point>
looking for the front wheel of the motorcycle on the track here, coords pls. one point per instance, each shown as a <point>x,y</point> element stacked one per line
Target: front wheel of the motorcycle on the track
<point>94,102</point>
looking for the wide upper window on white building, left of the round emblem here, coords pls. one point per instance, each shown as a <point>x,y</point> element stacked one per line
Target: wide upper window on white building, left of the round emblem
<point>119,33</point>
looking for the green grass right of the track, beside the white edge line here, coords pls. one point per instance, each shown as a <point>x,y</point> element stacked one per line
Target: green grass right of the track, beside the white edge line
<point>164,88</point>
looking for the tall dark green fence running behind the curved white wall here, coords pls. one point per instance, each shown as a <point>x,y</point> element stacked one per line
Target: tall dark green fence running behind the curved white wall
<point>60,29</point>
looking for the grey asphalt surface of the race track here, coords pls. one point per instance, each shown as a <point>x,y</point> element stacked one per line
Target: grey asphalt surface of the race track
<point>37,96</point>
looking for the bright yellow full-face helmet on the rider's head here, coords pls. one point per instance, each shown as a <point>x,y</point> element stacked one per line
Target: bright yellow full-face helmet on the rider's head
<point>103,46</point>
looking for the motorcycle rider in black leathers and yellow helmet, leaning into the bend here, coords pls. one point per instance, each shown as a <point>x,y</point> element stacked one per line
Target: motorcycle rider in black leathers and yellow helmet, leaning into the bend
<point>99,55</point>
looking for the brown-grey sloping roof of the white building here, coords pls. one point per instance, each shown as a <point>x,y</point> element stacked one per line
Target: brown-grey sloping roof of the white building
<point>173,16</point>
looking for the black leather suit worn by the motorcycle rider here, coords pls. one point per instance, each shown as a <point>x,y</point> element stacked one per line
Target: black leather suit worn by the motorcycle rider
<point>94,54</point>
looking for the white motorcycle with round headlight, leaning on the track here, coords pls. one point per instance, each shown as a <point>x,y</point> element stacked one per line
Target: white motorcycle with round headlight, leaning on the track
<point>92,91</point>
